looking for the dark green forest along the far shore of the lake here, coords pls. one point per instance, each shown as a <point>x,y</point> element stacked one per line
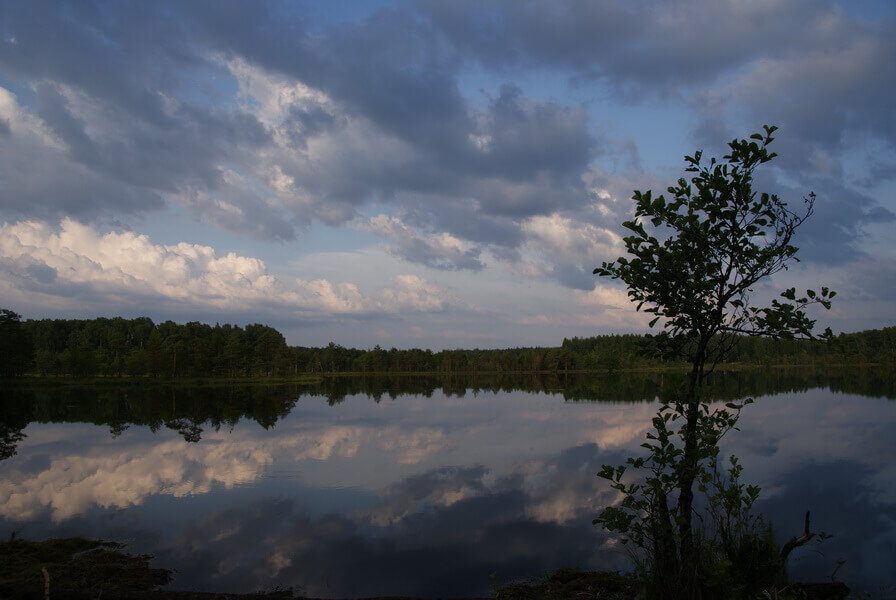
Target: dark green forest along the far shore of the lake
<point>117,347</point>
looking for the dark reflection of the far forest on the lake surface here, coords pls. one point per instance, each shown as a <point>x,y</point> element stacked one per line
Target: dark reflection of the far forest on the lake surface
<point>191,410</point>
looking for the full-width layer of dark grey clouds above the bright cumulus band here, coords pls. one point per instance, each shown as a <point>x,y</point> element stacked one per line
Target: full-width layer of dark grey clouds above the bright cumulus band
<point>133,105</point>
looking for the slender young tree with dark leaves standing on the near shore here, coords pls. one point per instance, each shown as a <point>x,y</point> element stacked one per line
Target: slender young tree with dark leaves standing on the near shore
<point>709,244</point>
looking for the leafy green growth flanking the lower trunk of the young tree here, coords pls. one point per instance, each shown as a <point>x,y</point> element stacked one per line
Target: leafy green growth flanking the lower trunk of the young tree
<point>735,554</point>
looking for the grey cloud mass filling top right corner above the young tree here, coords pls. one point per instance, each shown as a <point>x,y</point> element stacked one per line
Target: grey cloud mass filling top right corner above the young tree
<point>734,66</point>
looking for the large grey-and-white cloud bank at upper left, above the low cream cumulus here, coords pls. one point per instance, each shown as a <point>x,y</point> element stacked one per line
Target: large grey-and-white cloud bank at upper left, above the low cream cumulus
<point>260,127</point>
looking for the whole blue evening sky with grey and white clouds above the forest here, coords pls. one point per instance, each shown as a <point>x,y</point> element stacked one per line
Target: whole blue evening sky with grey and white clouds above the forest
<point>422,173</point>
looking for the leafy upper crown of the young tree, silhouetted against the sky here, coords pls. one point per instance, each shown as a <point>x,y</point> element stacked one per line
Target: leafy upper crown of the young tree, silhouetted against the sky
<point>723,239</point>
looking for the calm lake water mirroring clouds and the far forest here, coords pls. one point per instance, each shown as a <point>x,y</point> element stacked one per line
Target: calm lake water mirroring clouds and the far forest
<point>424,486</point>
